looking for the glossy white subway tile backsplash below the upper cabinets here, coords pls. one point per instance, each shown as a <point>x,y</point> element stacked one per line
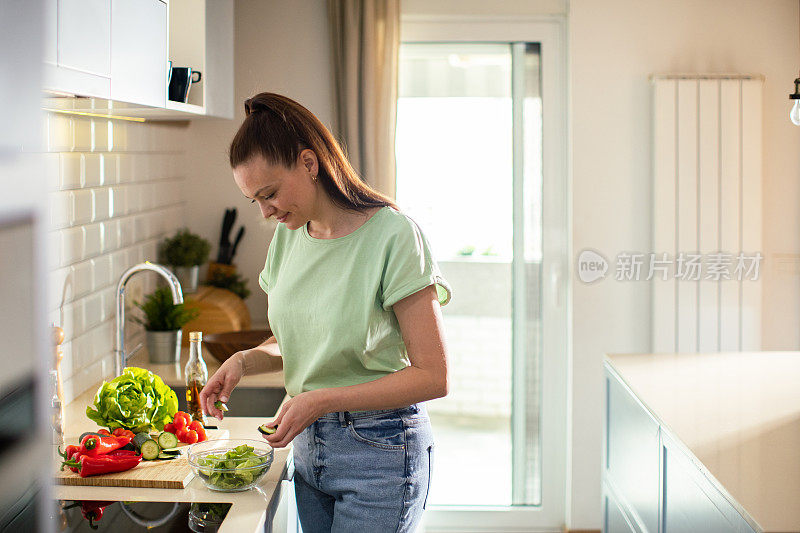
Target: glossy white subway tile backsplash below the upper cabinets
<point>115,194</point>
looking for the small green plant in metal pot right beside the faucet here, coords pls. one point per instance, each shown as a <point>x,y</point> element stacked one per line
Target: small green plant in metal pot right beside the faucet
<point>162,322</point>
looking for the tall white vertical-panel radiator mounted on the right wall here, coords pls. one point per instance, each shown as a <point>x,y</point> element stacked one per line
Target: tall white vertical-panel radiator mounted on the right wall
<point>707,205</point>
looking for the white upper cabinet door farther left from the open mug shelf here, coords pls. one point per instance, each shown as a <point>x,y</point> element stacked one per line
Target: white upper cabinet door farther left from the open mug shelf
<point>84,36</point>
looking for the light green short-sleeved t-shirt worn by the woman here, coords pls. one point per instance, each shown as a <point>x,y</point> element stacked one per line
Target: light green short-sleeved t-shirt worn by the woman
<point>330,300</point>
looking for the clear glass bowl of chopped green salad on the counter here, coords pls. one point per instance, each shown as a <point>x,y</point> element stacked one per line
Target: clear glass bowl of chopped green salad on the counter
<point>230,465</point>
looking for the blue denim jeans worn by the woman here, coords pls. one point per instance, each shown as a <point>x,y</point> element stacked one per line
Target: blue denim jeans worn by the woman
<point>364,471</point>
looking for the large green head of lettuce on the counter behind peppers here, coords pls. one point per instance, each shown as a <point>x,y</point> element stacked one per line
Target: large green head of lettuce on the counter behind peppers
<point>137,400</point>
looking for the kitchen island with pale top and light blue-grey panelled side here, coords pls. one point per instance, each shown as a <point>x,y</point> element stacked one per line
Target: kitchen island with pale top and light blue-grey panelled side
<point>702,442</point>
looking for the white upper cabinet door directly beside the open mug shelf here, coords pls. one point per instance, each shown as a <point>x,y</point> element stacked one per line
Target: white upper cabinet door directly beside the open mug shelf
<point>139,52</point>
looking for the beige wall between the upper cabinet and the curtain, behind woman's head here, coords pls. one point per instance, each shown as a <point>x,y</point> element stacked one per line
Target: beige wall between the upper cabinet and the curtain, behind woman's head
<point>279,46</point>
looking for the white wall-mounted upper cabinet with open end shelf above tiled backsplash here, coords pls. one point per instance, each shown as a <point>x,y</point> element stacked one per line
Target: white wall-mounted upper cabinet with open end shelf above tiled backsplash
<point>118,51</point>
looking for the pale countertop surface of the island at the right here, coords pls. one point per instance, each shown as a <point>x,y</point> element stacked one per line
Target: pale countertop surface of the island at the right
<point>738,414</point>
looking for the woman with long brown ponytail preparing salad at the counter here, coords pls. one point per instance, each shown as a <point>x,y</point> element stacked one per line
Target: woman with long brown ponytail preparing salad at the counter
<point>354,306</point>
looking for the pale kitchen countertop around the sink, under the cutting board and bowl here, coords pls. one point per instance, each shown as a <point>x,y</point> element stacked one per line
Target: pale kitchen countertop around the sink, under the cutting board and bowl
<point>250,510</point>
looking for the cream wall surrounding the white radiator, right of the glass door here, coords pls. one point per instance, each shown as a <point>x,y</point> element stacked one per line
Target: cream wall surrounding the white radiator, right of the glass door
<point>614,46</point>
